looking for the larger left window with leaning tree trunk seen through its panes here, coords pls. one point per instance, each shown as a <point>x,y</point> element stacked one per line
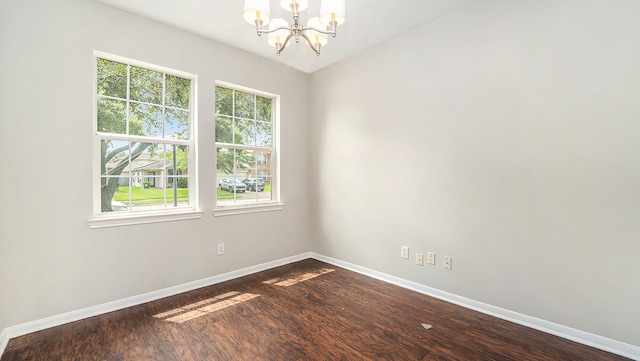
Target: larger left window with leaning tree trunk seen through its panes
<point>143,138</point>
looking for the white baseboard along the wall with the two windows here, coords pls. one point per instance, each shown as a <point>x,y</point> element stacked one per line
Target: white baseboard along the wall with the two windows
<point>41,324</point>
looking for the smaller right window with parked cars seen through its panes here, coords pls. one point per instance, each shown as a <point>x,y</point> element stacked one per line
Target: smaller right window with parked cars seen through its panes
<point>246,151</point>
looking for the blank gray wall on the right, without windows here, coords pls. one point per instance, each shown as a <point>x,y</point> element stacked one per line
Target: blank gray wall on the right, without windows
<point>515,124</point>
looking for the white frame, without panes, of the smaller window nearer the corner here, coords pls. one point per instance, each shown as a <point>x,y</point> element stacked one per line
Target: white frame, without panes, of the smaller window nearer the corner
<point>276,202</point>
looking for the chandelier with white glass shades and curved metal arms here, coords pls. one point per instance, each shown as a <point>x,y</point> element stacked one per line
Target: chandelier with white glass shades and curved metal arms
<point>256,13</point>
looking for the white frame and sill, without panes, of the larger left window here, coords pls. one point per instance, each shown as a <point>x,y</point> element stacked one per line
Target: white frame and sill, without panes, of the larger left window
<point>110,219</point>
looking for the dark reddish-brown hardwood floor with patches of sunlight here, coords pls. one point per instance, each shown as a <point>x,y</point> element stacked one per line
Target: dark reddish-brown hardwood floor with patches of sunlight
<point>307,310</point>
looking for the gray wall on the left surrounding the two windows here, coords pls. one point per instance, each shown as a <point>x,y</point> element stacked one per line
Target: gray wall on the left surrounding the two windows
<point>51,261</point>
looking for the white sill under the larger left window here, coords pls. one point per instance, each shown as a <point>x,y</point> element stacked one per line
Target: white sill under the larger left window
<point>129,219</point>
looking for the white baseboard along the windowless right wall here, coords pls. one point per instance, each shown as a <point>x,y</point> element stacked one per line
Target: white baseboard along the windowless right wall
<point>585,338</point>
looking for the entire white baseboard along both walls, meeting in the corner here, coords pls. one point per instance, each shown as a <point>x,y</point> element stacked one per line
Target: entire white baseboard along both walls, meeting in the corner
<point>603,343</point>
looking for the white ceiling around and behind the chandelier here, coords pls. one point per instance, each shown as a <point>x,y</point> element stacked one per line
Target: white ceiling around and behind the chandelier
<point>368,22</point>
